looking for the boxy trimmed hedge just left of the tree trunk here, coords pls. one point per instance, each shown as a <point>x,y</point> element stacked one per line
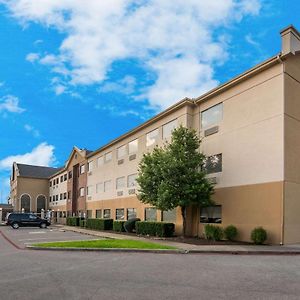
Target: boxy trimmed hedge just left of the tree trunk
<point>160,229</point>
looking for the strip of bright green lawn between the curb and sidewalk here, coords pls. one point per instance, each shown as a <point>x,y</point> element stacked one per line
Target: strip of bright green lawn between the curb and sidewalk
<point>109,243</point>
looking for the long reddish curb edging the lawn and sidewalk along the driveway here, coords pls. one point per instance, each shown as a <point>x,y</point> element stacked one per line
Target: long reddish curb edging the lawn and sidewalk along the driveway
<point>168,251</point>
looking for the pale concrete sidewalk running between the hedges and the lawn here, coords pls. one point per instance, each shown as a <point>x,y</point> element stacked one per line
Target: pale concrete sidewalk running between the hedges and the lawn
<point>188,248</point>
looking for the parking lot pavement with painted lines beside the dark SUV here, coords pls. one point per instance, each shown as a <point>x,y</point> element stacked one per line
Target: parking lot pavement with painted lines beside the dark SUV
<point>29,235</point>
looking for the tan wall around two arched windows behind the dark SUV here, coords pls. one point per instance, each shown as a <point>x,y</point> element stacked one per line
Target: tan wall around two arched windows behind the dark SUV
<point>33,187</point>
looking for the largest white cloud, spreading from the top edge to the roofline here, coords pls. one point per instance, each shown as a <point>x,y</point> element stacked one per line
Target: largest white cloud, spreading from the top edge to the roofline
<point>163,35</point>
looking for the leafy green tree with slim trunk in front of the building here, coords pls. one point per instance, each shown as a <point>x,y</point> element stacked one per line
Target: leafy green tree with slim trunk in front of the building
<point>172,176</point>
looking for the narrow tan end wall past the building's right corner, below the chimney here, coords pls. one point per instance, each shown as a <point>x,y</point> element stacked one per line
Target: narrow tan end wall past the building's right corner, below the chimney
<point>292,150</point>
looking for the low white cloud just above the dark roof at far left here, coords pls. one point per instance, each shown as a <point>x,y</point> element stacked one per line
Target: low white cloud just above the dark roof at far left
<point>42,155</point>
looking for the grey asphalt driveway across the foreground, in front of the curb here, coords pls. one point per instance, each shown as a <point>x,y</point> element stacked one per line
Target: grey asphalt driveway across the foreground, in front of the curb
<point>28,274</point>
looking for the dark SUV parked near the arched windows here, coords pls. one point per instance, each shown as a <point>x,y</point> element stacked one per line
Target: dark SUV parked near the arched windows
<point>15,220</point>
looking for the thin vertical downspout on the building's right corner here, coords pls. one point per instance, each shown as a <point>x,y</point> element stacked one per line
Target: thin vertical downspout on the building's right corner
<point>283,185</point>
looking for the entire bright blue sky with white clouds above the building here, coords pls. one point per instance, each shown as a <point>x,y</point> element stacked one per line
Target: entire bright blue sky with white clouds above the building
<point>83,72</point>
